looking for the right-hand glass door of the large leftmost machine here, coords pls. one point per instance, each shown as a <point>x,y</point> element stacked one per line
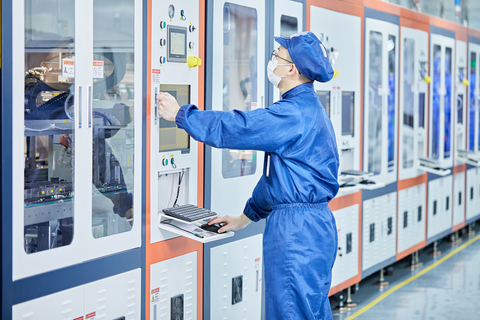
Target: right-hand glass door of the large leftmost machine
<point>112,100</point>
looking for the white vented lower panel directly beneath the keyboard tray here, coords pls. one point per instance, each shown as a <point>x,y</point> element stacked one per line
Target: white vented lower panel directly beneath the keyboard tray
<point>173,288</point>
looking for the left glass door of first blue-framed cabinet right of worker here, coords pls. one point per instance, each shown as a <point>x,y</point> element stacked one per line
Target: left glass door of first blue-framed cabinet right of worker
<point>375,102</point>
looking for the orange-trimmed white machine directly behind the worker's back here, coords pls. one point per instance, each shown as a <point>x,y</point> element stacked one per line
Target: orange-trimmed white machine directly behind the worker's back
<point>341,98</point>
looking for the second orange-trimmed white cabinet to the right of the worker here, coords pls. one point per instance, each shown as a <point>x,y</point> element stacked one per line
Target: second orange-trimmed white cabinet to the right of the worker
<point>414,79</point>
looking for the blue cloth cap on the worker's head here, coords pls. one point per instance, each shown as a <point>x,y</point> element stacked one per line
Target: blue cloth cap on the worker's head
<point>309,55</point>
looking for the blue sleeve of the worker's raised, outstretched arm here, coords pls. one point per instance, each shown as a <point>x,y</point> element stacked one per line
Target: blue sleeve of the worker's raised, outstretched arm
<point>261,129</point>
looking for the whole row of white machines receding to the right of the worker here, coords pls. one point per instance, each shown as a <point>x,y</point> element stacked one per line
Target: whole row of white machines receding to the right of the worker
<point>405,111</point>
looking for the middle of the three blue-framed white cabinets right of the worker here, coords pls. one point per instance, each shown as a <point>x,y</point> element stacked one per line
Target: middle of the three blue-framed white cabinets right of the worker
<point>440,185</point>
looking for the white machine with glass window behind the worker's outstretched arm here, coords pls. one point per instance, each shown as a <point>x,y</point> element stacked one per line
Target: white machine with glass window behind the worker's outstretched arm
<point>236,56</point>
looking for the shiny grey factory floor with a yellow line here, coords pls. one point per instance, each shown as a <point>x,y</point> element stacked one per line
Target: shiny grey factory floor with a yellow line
<point>445,287</point>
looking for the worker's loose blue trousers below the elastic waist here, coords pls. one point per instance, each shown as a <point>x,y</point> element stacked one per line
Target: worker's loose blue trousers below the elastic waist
<point>299,248</point>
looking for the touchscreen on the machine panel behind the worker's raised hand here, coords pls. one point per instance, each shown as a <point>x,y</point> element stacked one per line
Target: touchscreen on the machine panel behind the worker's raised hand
<point>170,137</point>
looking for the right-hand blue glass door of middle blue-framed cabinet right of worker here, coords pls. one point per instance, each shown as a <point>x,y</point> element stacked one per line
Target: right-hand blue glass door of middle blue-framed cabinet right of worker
<point>447,108</point>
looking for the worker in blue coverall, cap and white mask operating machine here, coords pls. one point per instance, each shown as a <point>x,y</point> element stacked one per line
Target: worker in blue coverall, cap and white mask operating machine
<point>298,181</point>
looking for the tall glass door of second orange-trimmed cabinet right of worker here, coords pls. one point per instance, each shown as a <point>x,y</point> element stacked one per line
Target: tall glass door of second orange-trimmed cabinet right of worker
<point>408,102</point>
